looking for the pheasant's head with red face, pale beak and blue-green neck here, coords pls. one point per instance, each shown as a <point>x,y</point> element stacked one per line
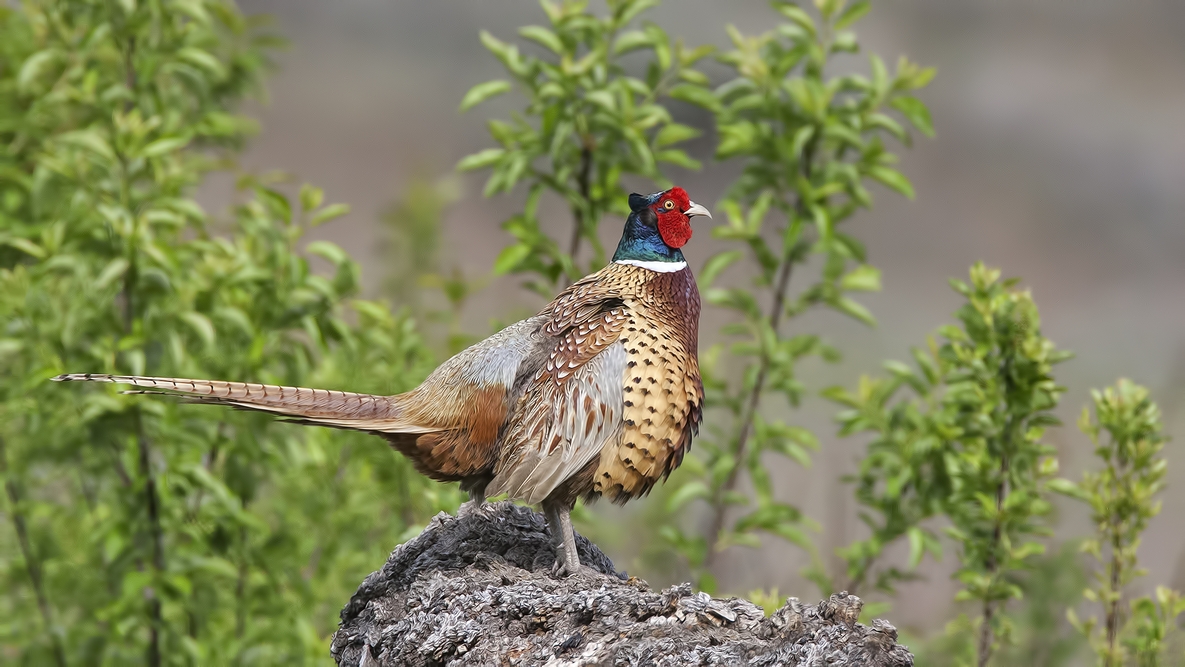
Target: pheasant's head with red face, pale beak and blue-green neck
<point>658,227</point>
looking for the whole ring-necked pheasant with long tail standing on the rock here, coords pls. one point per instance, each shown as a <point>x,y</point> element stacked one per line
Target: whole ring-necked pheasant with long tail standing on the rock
<point>599,395</point>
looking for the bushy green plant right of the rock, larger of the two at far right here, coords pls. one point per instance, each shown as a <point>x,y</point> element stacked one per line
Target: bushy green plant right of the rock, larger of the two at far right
<point>968,445</point>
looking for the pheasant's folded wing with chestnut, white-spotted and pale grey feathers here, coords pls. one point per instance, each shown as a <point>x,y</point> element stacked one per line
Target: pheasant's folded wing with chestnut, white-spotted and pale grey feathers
<point>573,405</point>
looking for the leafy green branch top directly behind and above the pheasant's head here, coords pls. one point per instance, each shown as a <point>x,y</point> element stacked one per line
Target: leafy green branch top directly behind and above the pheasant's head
<point>587,125</point>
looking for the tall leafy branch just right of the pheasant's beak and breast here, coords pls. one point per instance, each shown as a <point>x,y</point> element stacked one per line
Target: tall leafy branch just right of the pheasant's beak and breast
<point>809,144</point>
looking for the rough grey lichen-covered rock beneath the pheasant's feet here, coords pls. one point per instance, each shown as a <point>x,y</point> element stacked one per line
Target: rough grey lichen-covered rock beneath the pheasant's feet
<point>478,591</point>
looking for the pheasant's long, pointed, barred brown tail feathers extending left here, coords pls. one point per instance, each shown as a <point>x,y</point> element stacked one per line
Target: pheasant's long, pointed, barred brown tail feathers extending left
<point>342,409</point>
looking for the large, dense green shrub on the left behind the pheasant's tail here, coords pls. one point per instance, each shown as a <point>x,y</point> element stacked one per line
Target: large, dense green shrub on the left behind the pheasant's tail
<point>145,530</point>
